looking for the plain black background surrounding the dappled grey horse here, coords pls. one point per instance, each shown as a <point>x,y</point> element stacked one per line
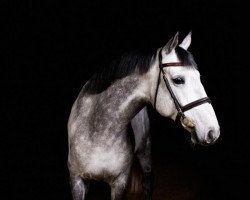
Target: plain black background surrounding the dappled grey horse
<point>53,48</point>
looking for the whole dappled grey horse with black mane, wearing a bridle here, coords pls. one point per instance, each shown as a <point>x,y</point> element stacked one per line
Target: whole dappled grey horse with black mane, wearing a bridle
<point>99,144</point>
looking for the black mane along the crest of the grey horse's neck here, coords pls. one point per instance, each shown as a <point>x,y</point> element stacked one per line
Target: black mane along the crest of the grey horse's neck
<point>129,63</point>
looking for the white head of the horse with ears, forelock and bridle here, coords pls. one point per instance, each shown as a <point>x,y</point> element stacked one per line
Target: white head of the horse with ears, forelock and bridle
<point>177,91</point>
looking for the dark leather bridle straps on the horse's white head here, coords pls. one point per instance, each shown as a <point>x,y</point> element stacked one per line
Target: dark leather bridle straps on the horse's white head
<point>180,109</point>
